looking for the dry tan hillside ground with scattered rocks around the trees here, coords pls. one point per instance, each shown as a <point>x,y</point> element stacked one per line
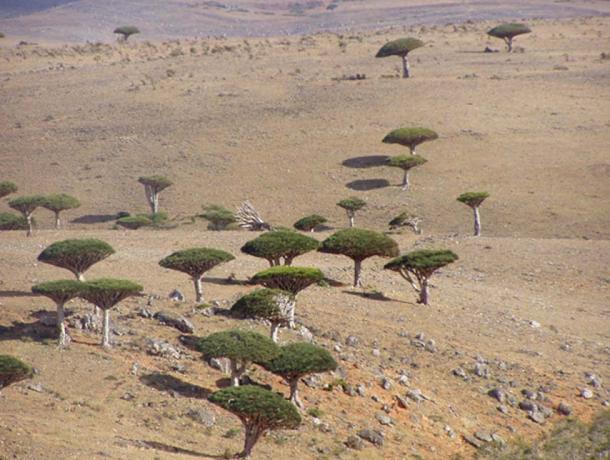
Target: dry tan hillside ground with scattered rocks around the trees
<point>526,307</point>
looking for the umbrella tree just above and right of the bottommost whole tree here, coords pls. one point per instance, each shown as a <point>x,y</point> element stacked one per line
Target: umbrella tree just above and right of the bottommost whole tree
<point>298,360</point>
